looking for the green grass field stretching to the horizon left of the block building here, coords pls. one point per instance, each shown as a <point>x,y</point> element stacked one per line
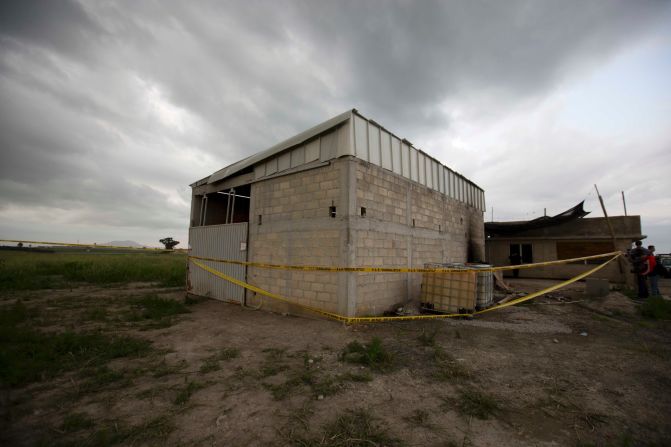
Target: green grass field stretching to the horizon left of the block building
<point>31,271</point>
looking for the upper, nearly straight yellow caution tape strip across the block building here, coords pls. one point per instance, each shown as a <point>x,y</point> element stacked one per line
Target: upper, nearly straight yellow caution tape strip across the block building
<point>316,268</point>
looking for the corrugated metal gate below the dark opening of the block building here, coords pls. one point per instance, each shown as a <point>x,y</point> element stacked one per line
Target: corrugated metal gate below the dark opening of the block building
<point>218,241</point>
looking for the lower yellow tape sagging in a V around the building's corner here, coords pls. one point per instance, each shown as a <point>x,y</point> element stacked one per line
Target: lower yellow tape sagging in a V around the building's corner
<point>352,320</point>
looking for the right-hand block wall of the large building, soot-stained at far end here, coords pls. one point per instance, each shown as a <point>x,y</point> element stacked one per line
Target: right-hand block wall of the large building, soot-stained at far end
<point>405,225</point>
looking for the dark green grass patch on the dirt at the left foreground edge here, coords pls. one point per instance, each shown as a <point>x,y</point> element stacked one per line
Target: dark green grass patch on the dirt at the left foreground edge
<point>28,355</point>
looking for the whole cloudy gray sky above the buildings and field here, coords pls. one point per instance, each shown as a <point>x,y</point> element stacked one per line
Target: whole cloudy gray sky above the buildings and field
<point>109,110</point>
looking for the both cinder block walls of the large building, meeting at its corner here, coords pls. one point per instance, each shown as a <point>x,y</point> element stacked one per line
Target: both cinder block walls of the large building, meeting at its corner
<point>402,224</point>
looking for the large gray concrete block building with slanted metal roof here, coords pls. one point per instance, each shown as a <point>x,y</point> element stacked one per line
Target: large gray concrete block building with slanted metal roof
<point>345,193</point>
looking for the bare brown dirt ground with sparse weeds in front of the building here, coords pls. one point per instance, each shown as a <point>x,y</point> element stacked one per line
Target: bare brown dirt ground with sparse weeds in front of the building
<point>563,370</point>
